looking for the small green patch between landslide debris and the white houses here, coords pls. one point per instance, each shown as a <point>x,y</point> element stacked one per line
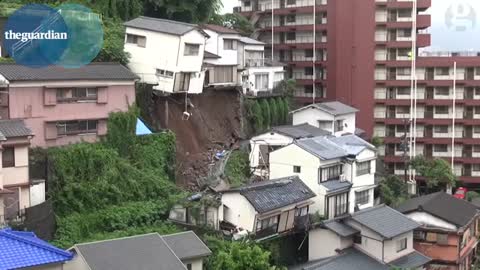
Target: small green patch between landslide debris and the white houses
<point>237,169</point>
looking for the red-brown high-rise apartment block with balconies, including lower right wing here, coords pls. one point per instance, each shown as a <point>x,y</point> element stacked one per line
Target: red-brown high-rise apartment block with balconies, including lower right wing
<point>363,57</point>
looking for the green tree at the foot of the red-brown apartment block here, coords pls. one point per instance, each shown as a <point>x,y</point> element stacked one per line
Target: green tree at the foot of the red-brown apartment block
<point>437,172</point>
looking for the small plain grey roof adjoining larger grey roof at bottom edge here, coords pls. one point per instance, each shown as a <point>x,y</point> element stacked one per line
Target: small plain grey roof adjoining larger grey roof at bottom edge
<point>187,245</point>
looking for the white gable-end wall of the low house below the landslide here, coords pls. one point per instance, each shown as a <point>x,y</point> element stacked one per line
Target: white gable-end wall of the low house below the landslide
<point>239,212</point>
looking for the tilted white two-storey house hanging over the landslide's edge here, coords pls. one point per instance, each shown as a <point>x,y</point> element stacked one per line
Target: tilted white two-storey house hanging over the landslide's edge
<point>167,54</point>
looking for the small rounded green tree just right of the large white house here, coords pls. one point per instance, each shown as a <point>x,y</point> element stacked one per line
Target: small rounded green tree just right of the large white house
<point>393,190</point>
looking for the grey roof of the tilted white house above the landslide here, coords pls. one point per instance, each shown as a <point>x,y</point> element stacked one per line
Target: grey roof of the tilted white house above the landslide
<point>161,25</point>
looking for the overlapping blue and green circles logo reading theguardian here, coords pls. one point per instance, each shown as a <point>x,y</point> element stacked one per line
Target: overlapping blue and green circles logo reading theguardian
<point>38,35</point>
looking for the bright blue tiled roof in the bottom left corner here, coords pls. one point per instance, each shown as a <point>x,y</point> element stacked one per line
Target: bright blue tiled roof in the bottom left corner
<point>24,249</point>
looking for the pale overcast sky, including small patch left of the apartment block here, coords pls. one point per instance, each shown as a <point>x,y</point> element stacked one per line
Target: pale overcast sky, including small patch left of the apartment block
<point>455,24</point>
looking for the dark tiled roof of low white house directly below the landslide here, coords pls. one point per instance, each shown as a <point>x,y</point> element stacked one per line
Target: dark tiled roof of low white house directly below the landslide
<point>273,194</point>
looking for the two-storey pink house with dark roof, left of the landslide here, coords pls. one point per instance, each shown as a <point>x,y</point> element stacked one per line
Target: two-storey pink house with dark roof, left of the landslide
<point>63,106</point>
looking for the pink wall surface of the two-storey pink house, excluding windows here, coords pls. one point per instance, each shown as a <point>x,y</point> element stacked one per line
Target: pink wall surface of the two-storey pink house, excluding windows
<point>28,101</point>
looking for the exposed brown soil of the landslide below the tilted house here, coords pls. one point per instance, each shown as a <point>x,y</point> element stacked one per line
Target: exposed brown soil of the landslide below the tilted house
<point>214,125</point>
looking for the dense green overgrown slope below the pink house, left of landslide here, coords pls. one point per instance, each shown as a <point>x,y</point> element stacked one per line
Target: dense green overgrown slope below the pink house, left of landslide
<point>110,187</point>
